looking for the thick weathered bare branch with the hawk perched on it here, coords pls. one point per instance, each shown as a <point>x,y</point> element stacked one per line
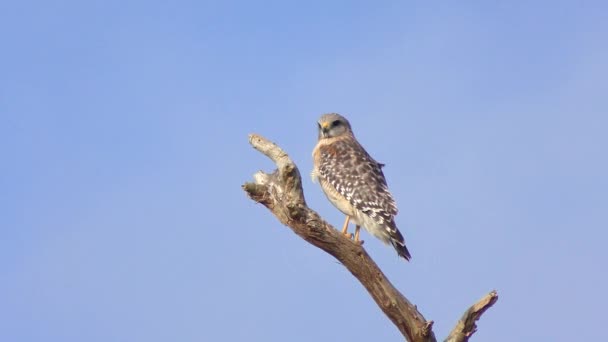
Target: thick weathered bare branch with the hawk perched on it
<point>282,193</point>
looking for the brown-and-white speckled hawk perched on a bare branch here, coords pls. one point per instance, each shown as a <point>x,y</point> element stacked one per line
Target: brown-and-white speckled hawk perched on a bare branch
<point>354,183</point>
